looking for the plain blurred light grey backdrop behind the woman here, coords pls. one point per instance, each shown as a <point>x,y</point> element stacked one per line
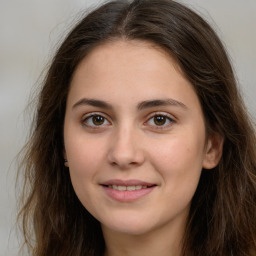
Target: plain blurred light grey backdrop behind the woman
<point>30,31</point>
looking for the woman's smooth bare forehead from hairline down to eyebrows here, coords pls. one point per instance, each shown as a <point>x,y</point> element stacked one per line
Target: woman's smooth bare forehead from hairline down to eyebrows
<point>140,69</point>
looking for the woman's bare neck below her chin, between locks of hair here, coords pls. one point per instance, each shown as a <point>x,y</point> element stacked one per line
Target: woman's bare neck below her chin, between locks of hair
<point>165,242</point>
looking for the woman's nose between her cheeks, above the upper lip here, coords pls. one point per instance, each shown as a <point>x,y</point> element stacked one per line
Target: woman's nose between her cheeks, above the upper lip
<point>125,149</point>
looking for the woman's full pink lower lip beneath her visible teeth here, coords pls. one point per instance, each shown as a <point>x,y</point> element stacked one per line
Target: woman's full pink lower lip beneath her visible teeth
<point>127,196</point>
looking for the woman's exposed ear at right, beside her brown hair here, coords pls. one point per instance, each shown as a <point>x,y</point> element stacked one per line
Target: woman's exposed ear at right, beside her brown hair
<point>213,152</point>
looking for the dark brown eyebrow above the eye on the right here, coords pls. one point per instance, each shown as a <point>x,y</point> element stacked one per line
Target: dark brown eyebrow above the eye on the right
<point>160,102</point>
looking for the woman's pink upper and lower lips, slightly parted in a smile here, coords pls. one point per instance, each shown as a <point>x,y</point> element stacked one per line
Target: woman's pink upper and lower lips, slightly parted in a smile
<point>127,196</point>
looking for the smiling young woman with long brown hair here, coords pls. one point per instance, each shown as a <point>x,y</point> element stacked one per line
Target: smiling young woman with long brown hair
<point>141,144</point>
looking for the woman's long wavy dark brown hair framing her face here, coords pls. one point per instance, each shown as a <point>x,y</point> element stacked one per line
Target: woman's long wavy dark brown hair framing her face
<point>222,218</point>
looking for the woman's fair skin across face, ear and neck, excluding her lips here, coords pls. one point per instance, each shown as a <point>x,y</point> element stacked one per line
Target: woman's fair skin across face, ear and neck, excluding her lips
<point>127,142</point>
